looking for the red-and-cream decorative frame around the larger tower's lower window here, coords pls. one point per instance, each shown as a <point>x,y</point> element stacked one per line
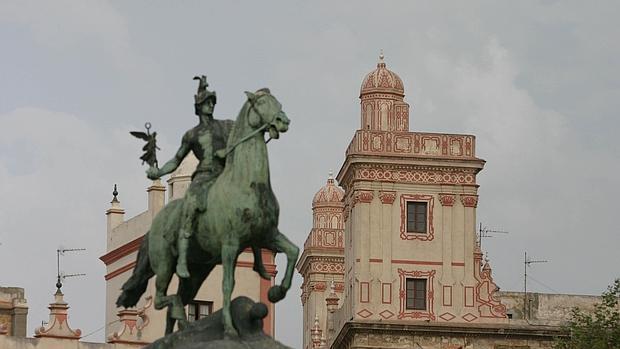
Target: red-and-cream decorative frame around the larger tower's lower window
<point>416,314</point>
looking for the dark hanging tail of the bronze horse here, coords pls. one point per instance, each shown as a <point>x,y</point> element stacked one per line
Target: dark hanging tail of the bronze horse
<point>133,288</point>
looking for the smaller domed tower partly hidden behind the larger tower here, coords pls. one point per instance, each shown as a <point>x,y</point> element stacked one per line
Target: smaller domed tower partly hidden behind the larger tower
<point>322,261</point>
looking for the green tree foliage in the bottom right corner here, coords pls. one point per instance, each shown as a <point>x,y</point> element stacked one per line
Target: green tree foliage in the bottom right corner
<point>595,330</point>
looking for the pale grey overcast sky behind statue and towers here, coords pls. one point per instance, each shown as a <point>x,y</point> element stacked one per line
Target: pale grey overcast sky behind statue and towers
<point>538,83</point>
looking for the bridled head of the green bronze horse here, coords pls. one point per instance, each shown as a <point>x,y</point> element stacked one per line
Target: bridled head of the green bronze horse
<point>266,112</point>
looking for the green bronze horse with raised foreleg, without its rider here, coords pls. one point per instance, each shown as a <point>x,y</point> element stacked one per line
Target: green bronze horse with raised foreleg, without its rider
<point>242,213</point>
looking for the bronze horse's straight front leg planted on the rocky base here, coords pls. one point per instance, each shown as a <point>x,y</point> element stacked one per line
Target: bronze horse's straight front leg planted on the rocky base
<point>230,250</point>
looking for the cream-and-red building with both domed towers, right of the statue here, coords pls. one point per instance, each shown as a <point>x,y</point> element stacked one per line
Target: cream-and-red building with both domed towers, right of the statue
<point>408,271</point>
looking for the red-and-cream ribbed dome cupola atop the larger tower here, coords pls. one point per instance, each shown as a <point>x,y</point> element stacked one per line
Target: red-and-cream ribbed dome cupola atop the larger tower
<point>382,101</point>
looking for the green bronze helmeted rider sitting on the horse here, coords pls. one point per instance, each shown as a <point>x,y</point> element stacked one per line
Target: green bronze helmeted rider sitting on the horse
<point>204,140</point>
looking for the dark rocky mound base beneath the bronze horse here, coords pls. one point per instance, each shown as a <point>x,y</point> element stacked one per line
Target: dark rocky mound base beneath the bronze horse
<point>208,333</point>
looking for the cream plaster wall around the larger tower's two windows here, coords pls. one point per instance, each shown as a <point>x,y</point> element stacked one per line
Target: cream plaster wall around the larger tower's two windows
<point>375,229</point>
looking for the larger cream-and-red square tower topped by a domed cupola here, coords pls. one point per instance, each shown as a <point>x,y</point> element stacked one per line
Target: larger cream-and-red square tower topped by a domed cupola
<point>411,251</point>
